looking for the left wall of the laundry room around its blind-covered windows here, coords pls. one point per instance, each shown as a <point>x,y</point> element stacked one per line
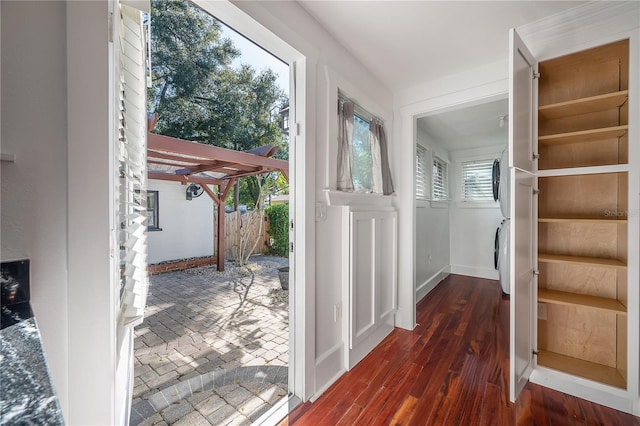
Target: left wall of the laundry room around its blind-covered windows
<point>433,251</point>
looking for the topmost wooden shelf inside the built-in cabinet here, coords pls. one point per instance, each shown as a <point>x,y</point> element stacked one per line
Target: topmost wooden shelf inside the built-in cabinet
<point>584,106</point>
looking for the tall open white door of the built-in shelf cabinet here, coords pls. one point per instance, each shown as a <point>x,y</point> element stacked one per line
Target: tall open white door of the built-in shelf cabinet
<point>523,211</point>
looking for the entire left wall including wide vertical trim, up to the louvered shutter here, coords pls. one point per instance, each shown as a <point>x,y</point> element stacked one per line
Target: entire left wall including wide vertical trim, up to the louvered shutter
<point>55,197</point>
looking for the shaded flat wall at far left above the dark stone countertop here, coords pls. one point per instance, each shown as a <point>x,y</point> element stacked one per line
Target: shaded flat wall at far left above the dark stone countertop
<point>34,188</point>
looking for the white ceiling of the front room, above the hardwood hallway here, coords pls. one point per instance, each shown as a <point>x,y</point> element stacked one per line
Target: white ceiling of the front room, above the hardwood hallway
<point>406,43</point>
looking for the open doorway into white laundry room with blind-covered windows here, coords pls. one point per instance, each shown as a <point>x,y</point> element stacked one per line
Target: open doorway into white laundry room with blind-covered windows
<point>454,205</point>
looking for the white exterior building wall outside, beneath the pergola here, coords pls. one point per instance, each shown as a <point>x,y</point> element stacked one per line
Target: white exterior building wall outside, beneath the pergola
<point>186,226</point>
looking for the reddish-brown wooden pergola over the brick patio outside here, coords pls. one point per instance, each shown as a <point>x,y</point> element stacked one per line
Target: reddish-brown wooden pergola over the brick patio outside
<point>188,162</point>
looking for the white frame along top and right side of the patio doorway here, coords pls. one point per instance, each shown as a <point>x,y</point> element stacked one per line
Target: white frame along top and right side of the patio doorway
<point>301,321</point>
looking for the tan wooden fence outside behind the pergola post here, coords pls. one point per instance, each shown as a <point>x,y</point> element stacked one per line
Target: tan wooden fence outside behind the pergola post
<point>248,229</point>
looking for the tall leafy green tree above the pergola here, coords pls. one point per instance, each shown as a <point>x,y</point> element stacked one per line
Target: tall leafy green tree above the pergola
<point>198,94</point>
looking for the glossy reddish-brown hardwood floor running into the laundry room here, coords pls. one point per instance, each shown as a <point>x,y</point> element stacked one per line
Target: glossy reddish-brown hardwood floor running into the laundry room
<point>453,369</point>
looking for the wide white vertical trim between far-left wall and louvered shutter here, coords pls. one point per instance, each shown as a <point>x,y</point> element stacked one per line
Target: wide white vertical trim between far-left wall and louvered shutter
<point>92,287</point>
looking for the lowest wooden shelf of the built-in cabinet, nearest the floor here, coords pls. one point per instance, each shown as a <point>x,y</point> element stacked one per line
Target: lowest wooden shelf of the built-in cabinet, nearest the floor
<point>579,367</point>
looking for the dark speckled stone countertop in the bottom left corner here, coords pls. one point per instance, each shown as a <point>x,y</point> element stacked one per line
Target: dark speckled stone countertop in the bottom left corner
<point>26,394</point>
